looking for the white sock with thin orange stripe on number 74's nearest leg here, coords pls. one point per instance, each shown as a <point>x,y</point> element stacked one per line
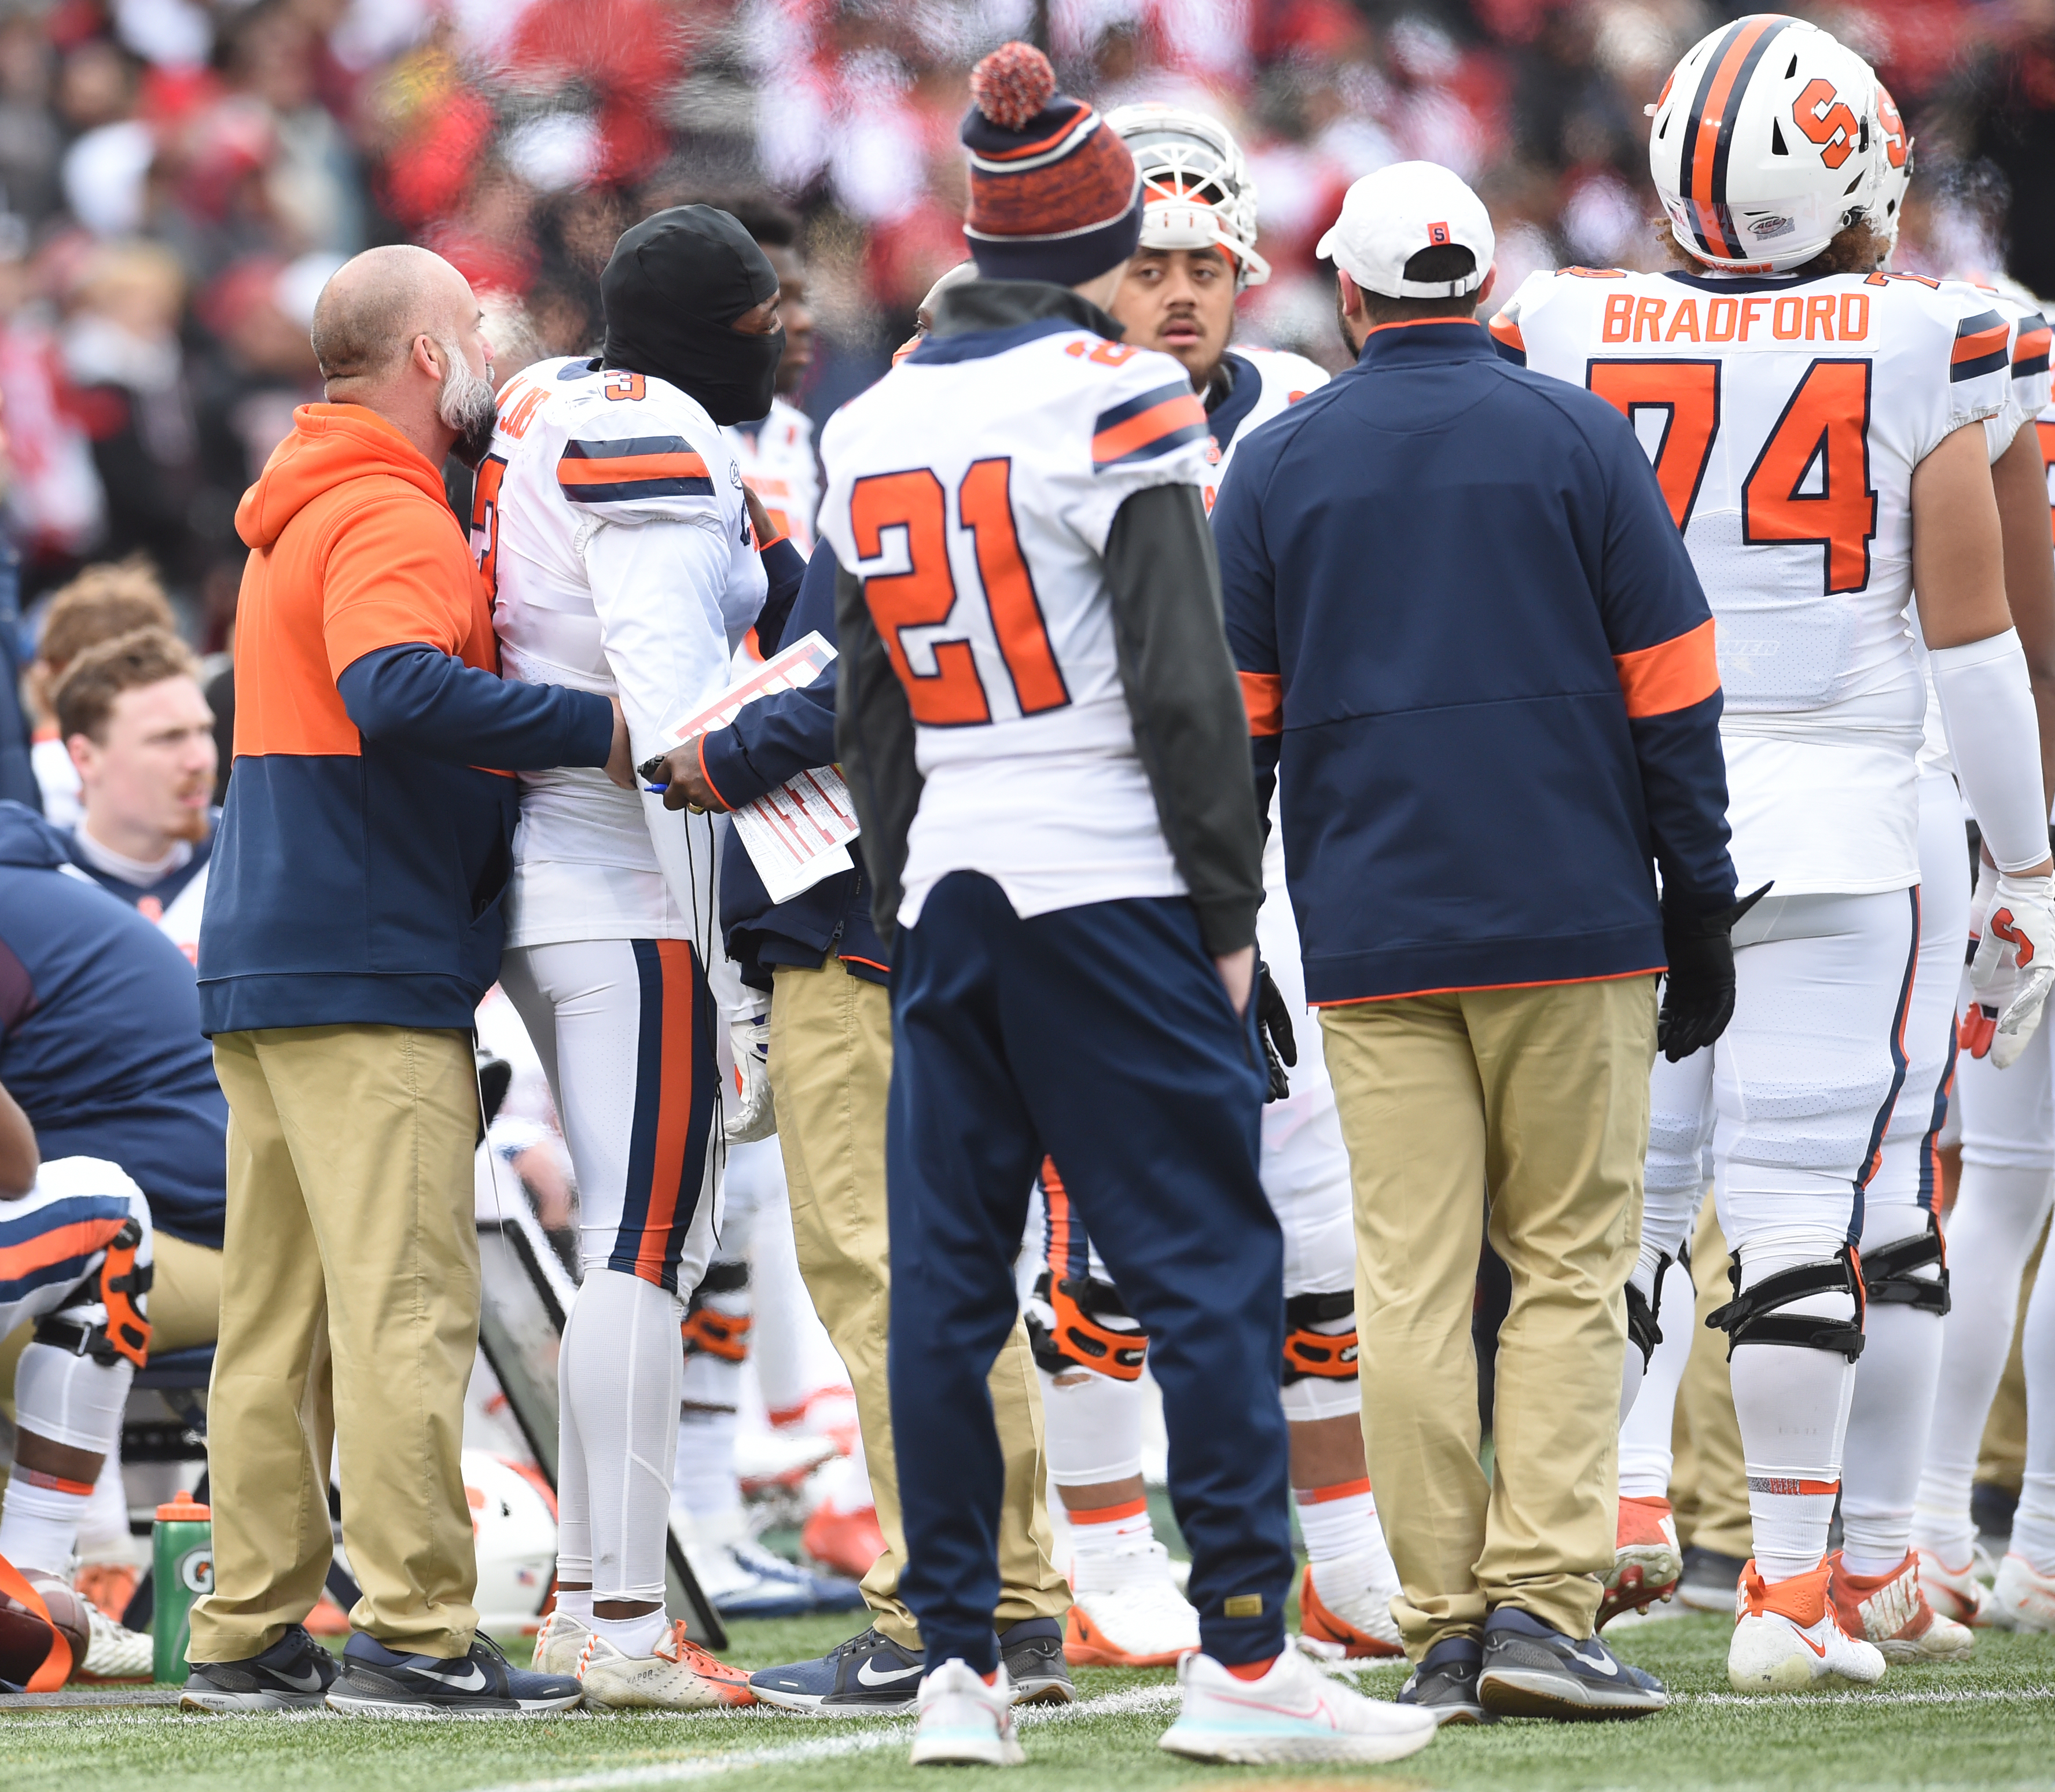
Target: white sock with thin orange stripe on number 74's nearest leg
<point>1793,1409</point>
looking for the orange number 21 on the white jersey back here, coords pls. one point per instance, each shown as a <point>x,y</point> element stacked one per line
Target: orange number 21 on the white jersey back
<point>924,597</point>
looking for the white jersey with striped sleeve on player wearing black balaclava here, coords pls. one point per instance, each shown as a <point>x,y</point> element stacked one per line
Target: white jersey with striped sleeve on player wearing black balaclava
<point>611,529</point>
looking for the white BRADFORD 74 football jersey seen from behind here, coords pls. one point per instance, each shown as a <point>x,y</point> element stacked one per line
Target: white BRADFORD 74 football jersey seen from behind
<point>1785,418</point>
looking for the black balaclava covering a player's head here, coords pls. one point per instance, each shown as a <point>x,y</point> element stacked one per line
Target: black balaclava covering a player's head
<point>671,293</point>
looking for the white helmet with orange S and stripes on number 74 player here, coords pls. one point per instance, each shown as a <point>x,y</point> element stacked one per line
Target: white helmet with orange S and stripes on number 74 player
<point>1764,145</point>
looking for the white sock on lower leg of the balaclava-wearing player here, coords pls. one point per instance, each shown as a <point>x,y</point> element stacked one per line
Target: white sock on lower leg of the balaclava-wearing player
<point>620,1374</point>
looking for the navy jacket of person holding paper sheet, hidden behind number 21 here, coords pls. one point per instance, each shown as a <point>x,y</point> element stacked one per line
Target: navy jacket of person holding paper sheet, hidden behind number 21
<point>770,743</point>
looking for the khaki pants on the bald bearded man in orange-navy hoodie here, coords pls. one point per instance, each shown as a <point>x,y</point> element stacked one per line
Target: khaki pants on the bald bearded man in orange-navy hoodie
<point>350,1314</point>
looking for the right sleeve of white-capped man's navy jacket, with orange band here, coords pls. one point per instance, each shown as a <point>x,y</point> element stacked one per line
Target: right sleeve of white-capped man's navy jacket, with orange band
<point>1664,650</point>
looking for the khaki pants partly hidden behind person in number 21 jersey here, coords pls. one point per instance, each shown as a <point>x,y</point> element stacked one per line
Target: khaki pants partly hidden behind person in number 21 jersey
<point>831,1068</point>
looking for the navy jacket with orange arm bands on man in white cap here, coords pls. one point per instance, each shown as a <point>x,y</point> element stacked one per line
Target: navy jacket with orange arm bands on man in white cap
<point>1477,652</point>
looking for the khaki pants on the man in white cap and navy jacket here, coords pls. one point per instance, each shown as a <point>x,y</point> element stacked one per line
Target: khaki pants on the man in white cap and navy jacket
<point>1528,1107</point>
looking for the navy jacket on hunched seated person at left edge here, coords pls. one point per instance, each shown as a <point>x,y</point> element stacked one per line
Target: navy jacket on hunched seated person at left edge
<point>100,1035</point>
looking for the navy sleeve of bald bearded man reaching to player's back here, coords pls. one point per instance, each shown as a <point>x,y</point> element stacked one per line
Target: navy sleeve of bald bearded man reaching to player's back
<point>422,700</point>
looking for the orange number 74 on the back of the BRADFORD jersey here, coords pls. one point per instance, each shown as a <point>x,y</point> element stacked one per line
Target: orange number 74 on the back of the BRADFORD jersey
<point>1822,441</point>
